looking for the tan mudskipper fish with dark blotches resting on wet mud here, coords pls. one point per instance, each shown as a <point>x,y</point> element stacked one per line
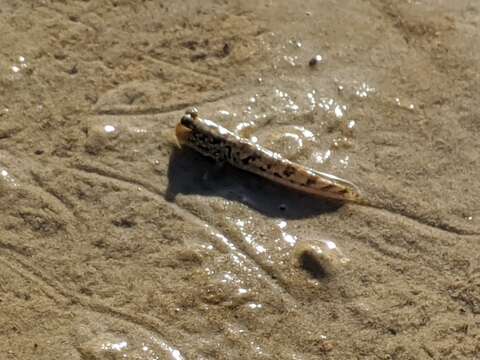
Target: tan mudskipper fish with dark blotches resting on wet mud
<point>216,142</point>
